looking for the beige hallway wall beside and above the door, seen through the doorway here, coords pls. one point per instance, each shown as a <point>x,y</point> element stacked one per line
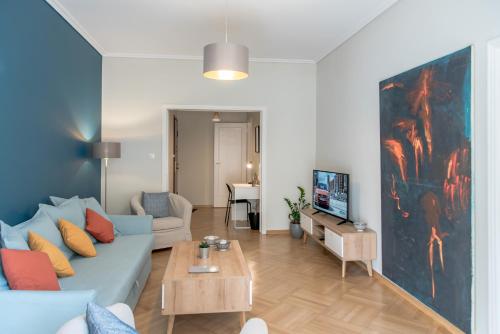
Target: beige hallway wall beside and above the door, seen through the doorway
<point>196,153</point>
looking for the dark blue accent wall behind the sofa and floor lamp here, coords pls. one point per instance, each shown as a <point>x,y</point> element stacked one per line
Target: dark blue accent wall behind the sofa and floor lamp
<point>50,109</point>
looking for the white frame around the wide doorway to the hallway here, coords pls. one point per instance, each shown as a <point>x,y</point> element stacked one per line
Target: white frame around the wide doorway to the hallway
<point>211,108</point>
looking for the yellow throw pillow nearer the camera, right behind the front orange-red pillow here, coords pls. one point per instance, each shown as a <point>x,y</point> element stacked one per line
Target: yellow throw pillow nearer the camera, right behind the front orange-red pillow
<point>59,261</point>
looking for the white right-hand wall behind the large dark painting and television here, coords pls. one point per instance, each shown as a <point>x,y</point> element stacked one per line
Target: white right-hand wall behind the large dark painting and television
<point>409,34</point>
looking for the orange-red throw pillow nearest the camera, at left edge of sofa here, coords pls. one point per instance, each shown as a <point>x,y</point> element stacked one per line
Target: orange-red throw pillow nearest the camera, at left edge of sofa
<point>28,270</point>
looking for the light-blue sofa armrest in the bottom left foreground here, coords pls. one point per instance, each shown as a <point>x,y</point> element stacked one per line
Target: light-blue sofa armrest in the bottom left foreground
<point>26,312</point>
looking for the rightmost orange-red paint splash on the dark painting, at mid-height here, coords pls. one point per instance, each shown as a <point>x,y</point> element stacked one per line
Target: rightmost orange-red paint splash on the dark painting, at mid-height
<point>456,186</point>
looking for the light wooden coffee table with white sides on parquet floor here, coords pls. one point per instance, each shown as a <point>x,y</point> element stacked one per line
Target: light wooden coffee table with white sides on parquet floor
<point>229,290</point>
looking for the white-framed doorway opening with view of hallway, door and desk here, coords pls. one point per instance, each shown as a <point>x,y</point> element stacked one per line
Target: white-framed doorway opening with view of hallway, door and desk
<point>212,152</point>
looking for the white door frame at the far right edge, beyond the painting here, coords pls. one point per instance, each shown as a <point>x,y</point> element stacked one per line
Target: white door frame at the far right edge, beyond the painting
<point>494,184</point>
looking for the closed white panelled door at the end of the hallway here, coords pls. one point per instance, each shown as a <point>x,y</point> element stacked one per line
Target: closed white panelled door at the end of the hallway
<point>230,152</point>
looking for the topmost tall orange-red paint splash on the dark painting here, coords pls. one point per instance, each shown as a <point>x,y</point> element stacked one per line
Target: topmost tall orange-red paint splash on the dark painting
<point>422,107</point>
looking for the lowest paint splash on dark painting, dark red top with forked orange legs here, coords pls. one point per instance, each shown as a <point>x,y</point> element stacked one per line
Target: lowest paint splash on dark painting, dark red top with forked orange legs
<point>432,211</point>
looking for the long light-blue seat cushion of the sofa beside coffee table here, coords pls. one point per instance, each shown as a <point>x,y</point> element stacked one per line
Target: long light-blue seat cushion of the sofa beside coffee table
<point>114,271</point>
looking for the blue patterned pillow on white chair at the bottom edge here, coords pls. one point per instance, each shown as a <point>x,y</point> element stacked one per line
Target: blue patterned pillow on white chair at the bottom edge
<point>101,321</point>
